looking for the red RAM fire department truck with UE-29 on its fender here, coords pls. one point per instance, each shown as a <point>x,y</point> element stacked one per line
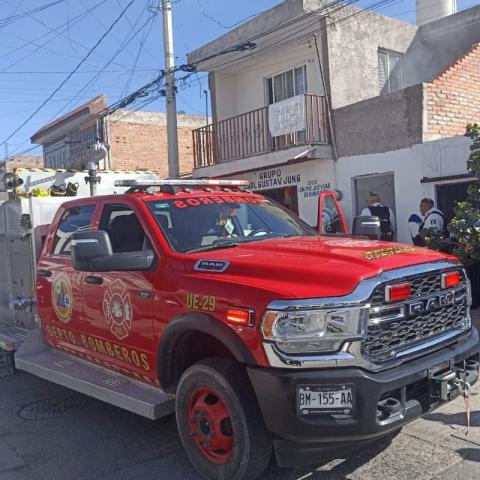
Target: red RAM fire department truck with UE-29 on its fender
<point>204,299</point>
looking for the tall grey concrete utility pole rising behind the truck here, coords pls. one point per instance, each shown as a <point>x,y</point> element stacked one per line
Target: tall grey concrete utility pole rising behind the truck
<point>172,139</point>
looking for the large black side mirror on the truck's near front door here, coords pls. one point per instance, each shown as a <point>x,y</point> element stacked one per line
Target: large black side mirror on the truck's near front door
<point>87,246</point>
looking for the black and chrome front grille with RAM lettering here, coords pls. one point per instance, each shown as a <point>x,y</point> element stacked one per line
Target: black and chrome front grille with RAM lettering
<point>431,312</point>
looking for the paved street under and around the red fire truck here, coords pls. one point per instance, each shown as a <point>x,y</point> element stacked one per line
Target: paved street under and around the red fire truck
<point>50,433</point>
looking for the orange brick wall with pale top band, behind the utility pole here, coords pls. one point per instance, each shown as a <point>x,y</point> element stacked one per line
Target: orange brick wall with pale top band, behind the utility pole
<point>138,141</point>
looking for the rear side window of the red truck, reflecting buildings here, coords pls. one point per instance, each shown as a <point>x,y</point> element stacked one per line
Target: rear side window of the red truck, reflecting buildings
<point>73,220</point>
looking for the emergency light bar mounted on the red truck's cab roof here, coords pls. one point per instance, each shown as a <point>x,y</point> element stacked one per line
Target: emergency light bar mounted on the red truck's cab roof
<point>169,186</point>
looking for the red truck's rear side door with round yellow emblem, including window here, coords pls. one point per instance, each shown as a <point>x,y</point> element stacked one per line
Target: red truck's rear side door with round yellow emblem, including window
<point>59,286</point>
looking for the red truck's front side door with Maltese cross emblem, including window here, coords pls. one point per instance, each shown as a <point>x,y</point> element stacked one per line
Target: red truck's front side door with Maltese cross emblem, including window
<point>118,306</point>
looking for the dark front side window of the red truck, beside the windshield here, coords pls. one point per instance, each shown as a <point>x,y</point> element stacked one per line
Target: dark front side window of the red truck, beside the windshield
<point>125,231</point>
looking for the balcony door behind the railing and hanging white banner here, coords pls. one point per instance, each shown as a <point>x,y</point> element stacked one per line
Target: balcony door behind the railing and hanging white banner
<point>285,85</point>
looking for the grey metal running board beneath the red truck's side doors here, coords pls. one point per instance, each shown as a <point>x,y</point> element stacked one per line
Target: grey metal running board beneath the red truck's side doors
<point>35,356</point>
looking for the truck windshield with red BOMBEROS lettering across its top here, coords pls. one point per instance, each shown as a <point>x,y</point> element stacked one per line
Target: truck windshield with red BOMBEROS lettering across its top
<point>210,222</point>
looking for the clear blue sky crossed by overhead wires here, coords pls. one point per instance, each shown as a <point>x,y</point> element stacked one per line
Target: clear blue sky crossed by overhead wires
<point>43,41</point>
